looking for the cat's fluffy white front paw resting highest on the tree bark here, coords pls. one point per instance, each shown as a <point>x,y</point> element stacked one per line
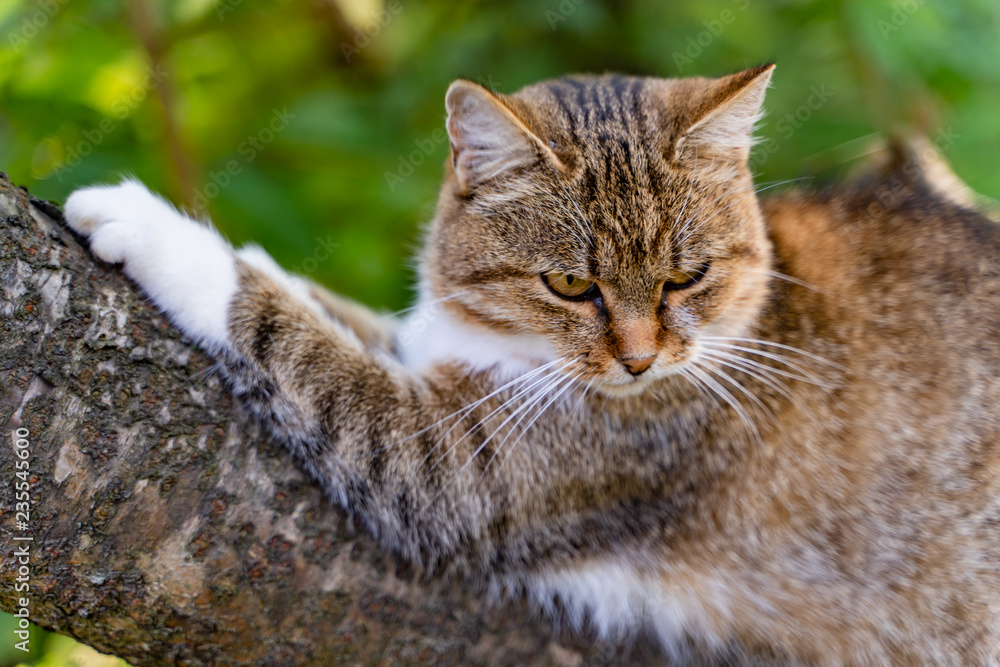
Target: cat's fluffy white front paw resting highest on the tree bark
<point>185,267</point>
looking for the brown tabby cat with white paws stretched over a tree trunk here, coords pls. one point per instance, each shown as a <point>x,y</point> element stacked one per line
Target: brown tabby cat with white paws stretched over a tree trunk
<point>633,391</point>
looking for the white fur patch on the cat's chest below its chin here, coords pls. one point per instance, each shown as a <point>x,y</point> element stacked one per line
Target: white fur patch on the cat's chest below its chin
<point>430,335</point>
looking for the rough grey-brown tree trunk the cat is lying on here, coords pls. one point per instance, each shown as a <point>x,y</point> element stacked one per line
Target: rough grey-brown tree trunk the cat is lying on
<point>165,529</point>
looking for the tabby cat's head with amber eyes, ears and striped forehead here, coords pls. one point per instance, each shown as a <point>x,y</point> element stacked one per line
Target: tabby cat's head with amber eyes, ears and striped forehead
<point>612,217</point>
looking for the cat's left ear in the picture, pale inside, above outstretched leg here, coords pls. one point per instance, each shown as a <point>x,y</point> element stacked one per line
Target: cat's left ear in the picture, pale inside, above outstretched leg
<point>487,137</point>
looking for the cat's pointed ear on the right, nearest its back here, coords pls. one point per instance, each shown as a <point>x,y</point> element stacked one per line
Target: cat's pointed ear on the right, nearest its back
<point>721,115</point>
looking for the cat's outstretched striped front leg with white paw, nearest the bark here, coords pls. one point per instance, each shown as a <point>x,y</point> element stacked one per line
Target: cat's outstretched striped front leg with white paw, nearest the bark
<point>340,405</point>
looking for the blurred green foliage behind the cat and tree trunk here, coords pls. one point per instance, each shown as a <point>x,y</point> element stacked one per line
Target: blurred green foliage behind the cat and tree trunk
<point>313,127</point>
